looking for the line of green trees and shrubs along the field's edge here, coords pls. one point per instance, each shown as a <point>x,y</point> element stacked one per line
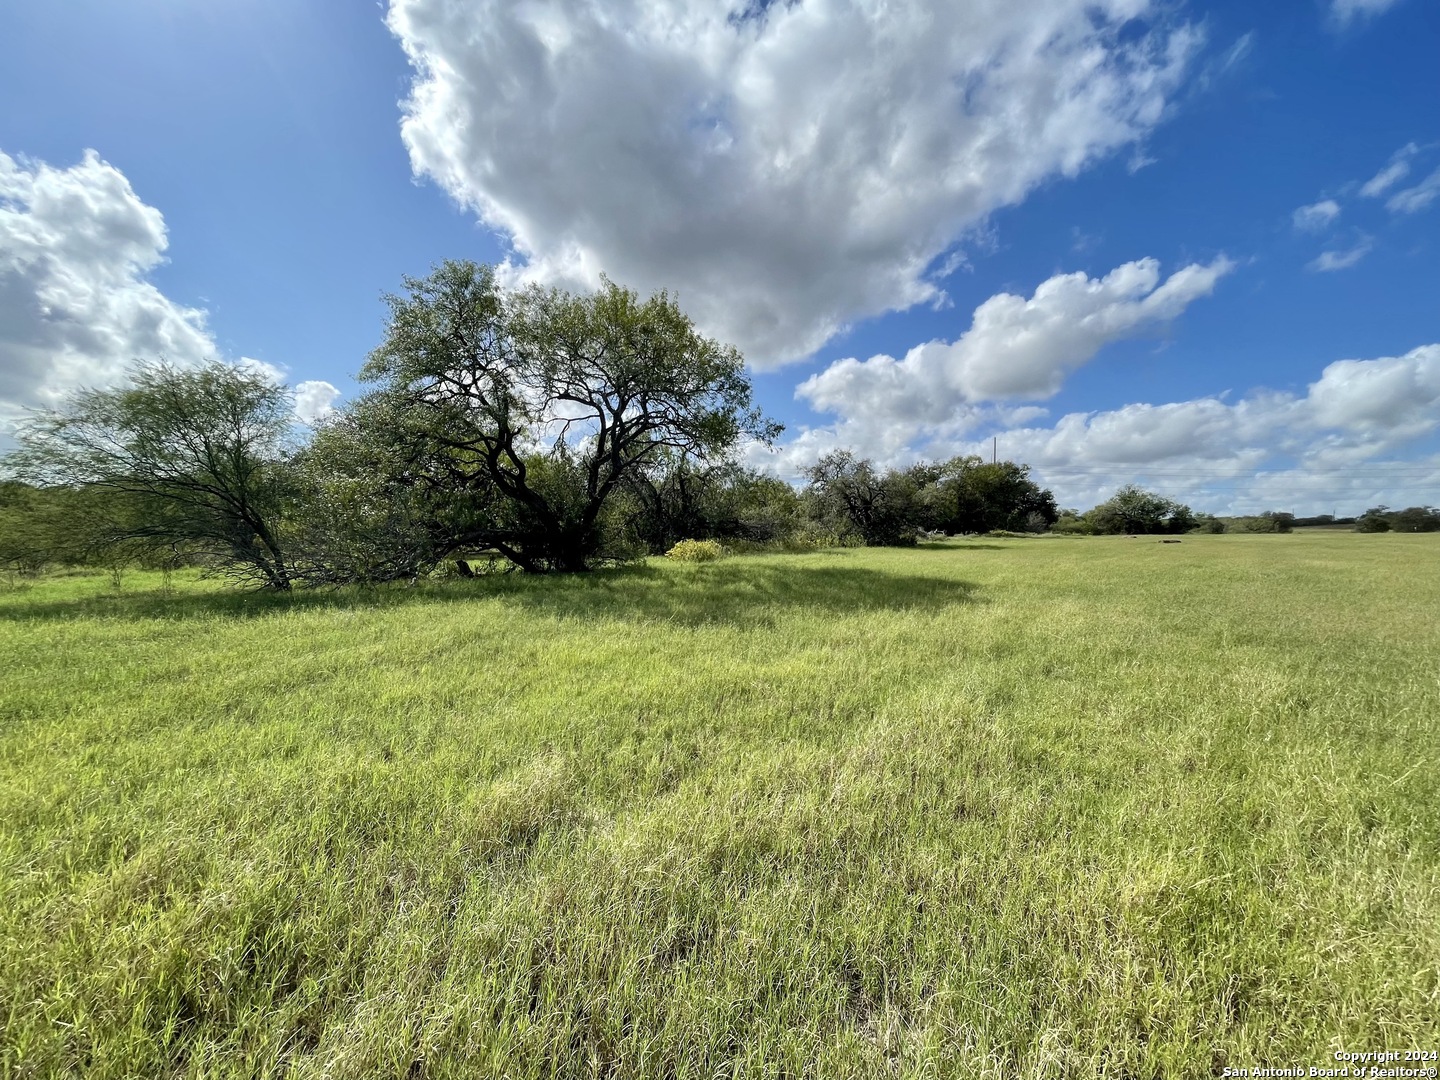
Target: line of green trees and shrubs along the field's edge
<point>534,428</point>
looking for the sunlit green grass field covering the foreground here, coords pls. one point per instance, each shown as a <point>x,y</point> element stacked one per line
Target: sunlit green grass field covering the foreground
<point>1000,809</point>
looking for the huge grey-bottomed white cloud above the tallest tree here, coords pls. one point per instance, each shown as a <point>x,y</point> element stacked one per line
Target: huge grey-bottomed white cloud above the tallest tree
<point>788,169</point>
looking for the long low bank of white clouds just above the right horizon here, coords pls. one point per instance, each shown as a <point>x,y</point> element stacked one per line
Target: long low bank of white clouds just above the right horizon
<point>1333,446</point>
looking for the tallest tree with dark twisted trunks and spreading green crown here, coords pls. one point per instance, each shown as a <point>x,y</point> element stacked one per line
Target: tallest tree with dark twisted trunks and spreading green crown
<point>522,414</point>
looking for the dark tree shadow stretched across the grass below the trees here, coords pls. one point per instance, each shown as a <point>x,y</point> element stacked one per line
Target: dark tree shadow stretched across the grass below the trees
<point>742,594</point>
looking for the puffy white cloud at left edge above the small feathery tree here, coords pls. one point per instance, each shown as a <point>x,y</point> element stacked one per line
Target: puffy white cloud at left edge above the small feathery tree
<point>76,306</point>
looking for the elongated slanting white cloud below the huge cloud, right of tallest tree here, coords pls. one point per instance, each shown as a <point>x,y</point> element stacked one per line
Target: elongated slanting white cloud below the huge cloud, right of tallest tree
<point>1016,348</point>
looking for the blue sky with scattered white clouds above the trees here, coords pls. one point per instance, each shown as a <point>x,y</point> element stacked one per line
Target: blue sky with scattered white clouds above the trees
<point>1189,246</point>
